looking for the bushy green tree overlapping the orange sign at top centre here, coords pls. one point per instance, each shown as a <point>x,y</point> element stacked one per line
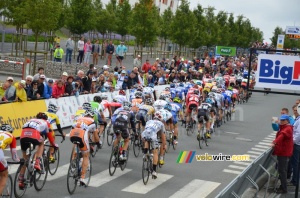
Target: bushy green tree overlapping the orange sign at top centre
<point>144,24</point>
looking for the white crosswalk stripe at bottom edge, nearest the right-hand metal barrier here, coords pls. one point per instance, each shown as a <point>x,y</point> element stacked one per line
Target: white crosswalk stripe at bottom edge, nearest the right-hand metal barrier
<point>195,188</point>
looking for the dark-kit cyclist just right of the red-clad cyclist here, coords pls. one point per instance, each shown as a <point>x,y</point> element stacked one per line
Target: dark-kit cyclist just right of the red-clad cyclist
<point>203,113</point>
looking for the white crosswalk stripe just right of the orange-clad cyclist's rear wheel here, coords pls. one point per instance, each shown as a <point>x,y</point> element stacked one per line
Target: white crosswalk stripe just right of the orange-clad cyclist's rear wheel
<point>104,177</point>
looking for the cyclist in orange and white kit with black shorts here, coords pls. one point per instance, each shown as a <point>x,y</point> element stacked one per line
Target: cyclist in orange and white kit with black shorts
<point>80,133</point>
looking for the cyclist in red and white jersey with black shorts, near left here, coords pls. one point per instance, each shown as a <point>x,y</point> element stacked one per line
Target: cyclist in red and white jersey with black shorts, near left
<point>32,133</point>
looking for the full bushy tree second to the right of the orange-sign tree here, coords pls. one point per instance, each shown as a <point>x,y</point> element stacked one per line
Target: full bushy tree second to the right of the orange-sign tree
<point>183,25</point>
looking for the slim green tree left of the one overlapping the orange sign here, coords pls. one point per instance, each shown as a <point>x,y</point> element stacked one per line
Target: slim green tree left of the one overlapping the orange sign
<point>123,18</point>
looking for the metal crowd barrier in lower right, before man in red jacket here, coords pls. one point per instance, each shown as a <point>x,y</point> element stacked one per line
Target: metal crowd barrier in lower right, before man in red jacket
<point>253,177</point>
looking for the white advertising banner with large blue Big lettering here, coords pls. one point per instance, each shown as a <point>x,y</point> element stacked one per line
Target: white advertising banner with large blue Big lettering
<point>278,72</point>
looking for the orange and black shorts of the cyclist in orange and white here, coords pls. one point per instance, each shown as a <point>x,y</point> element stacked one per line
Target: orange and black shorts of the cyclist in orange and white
<point>82,137</point>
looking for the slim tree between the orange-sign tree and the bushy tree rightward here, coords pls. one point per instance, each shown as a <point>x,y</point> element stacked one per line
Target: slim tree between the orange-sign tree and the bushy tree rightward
<point>165,27</point>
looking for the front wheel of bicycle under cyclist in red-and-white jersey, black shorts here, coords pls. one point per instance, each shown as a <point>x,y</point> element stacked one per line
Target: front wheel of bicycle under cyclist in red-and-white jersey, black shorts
<point>40,177</point>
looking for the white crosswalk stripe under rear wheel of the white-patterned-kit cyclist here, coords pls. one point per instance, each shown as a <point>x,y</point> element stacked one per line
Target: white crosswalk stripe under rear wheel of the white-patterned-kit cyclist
<point>140,188</point>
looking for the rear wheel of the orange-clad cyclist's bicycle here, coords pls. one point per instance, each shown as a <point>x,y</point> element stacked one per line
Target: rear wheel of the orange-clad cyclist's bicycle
<point>72,176</point>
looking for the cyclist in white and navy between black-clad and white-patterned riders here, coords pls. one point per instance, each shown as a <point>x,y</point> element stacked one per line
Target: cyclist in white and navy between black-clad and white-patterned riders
<point>145,112</point>
